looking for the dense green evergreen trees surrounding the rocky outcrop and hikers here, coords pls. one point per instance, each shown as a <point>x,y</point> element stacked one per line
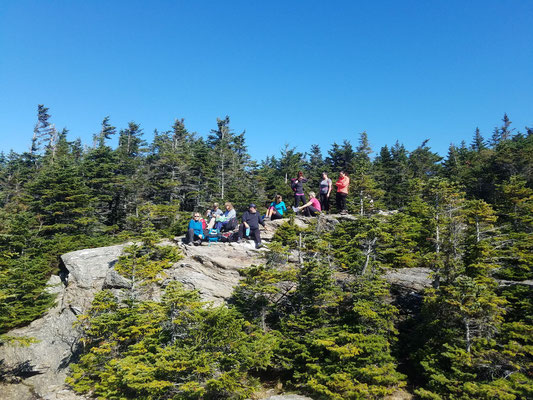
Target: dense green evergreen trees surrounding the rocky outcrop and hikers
<point>323,326</point>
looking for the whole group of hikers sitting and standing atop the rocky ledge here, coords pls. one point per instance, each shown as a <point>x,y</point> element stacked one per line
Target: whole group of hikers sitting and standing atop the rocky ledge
<point>221,221</point>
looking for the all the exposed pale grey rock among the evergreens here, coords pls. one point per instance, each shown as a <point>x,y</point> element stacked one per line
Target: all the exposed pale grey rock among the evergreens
<point>39,370</point>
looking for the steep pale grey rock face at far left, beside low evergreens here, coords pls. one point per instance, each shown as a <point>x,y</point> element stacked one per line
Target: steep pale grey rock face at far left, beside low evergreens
<point>44,364</point>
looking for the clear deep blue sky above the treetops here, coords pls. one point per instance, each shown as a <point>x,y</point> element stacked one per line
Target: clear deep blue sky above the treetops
<point>296,72</point>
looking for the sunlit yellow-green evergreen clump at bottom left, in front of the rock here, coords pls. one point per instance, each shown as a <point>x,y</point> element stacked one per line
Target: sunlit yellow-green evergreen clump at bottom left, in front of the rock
<point>178,348</point>
